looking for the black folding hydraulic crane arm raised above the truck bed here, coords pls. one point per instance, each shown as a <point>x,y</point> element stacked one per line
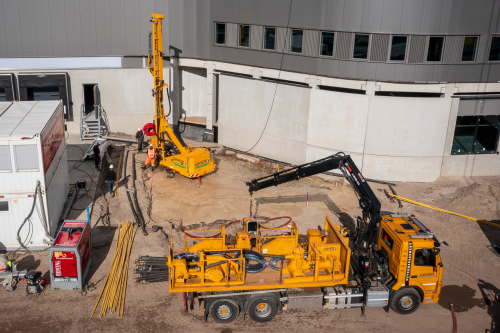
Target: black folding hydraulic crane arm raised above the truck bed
<point>367,199</point>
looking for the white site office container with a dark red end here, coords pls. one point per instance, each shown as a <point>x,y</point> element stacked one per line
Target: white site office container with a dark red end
<point>32,149</point>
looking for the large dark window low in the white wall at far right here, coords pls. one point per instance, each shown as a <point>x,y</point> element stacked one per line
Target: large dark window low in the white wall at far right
<point>476,134</point>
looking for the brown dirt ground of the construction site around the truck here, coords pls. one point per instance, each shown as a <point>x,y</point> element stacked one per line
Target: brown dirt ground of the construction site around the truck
<point>471,270</point>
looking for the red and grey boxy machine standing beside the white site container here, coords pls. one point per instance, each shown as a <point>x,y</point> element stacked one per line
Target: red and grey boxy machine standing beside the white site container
<point>70,256</point>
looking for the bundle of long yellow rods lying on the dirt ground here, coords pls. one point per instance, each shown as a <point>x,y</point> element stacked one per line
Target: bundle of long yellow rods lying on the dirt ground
<point>115,286</point>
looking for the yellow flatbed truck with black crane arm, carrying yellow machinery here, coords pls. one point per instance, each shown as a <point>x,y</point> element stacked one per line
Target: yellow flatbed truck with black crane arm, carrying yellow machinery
<point>393,260</point>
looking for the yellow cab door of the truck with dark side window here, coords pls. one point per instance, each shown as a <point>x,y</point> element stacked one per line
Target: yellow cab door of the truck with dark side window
<point>426,272</point>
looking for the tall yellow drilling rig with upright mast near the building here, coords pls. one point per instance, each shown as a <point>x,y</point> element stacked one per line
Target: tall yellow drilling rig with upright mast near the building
<point>174,154</point>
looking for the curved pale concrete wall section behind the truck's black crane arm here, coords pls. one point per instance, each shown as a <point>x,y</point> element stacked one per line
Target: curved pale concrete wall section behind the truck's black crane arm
<point>390,138</point>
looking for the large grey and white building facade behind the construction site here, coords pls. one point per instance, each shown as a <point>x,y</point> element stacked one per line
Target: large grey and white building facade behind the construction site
<point>409,88</point>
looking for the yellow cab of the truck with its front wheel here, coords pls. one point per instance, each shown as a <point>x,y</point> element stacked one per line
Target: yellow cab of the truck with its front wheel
<point>410,253</point>
